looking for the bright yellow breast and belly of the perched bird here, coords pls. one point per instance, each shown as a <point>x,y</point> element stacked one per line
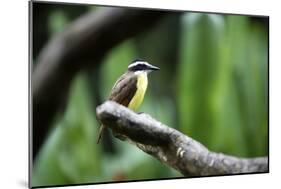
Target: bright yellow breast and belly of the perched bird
<point>140,92</point>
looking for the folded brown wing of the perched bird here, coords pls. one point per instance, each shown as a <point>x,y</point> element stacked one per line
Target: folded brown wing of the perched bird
<point>124,89</point>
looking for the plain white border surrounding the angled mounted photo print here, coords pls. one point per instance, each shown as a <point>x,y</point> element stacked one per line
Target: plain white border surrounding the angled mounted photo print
<point>14,91</point>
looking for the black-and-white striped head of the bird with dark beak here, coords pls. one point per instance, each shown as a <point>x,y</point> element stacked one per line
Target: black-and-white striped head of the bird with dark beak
<point>141,66</point>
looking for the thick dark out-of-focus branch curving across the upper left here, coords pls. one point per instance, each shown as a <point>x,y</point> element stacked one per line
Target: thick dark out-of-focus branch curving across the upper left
<point>88,38</point>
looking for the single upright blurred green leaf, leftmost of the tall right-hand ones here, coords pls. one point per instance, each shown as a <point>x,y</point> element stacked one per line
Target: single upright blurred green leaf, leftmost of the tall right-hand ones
<point>197,73</point>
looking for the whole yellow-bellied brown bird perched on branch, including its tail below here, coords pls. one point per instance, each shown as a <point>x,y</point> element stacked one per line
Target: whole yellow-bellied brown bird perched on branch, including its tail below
<point>129,90</point>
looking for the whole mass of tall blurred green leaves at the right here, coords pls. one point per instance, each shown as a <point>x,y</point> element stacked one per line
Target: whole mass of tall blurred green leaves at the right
<point>222,83</point>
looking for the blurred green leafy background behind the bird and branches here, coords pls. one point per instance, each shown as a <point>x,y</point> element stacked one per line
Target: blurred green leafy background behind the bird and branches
<point>212,86</point>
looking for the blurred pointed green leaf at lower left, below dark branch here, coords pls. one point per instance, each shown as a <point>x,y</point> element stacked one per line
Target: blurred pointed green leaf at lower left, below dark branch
<point>70,154</point>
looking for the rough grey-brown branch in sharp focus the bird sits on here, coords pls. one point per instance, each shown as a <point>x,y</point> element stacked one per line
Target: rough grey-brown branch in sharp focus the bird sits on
<point>171,147</point>
